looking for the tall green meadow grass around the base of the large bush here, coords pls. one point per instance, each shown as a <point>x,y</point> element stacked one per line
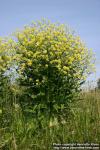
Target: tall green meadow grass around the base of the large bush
<point>20,132</point>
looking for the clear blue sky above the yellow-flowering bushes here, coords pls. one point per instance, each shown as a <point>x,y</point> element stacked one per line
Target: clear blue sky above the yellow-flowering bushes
<point>81,15</point>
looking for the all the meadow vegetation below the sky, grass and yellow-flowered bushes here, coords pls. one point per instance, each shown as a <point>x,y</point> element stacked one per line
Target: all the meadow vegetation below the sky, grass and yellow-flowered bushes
<point>42,70</point>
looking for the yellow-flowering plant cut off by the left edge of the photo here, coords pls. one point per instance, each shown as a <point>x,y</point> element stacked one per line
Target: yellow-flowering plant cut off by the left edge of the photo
<point>7,47</point>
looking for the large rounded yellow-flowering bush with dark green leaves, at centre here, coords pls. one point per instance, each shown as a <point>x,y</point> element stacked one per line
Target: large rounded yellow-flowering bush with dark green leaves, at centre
<point>52,65</point>
